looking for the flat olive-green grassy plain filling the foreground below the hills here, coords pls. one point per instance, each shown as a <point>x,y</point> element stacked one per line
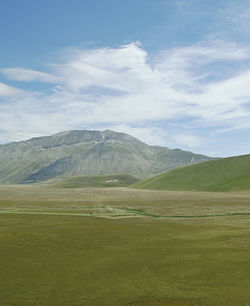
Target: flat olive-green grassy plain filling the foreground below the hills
<point>120,246</point>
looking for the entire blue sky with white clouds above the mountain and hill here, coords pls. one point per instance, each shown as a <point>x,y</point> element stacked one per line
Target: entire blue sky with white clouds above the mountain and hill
<point>174,73</point>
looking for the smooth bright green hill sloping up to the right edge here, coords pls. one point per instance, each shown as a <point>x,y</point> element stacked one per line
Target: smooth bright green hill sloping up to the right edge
<point>225,174</point>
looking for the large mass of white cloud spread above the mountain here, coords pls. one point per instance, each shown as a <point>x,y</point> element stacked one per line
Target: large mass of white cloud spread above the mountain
<point>125,89</point>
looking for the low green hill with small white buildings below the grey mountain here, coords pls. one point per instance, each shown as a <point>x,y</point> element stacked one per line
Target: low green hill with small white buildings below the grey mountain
<point>118,180</point>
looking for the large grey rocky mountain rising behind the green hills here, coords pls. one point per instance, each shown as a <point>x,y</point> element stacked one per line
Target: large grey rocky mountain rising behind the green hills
<point>74,153</point>
